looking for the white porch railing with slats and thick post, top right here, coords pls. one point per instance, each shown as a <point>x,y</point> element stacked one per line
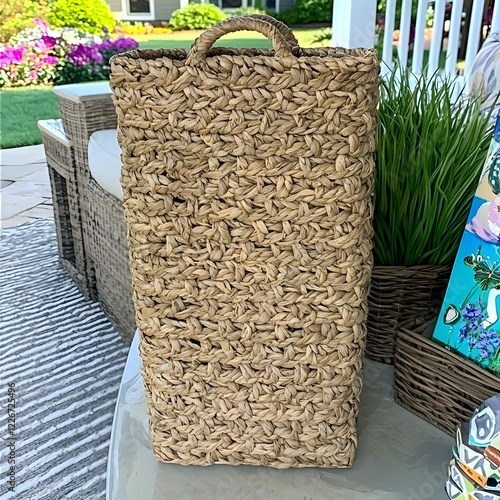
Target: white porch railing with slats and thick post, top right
<point>354,26</point>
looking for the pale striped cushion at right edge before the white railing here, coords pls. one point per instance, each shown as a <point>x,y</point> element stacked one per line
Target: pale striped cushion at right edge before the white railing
<point>484,79</point>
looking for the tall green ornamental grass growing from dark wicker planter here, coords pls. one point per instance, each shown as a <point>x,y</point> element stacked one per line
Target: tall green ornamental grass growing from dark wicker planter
<point>431,150</point>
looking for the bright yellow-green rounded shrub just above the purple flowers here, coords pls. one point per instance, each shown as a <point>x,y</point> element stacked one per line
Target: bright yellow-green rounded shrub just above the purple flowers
<point>89,16</point>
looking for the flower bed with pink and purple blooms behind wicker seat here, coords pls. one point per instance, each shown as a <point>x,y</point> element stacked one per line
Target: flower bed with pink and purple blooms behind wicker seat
<point>41,55</point>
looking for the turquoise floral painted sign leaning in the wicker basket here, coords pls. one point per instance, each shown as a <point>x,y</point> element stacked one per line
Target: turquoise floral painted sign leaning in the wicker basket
<point>469,320</point>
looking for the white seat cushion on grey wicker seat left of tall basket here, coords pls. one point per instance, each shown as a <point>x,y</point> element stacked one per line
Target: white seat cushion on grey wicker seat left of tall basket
<point>104,161</point>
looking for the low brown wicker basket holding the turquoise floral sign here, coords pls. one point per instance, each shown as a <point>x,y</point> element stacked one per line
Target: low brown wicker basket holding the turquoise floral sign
<point>436,384</point>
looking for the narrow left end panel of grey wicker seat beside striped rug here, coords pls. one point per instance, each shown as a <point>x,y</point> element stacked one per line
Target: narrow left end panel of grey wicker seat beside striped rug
<point>67,211</point>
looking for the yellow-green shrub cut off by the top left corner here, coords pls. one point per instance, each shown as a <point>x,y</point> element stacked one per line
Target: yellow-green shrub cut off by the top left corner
<point>15,15</point>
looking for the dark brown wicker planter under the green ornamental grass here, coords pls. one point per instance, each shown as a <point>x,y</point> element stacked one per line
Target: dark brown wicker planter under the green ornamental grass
<point>399,294</point>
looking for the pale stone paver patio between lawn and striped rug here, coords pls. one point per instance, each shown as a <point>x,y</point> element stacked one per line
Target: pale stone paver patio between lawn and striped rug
<point>25,187</point>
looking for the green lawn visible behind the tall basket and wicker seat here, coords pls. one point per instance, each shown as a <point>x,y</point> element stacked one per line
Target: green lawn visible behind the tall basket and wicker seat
<point>22,107</point>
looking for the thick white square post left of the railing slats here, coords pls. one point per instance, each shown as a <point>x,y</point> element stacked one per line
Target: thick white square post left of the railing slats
<point>353,23</point>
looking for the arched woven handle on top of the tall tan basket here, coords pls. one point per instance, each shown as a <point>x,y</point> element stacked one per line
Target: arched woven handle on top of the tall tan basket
<point>203,44</point>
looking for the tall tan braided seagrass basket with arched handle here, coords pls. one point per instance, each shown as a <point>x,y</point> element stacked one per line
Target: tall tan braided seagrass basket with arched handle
<point>247,190</point>
